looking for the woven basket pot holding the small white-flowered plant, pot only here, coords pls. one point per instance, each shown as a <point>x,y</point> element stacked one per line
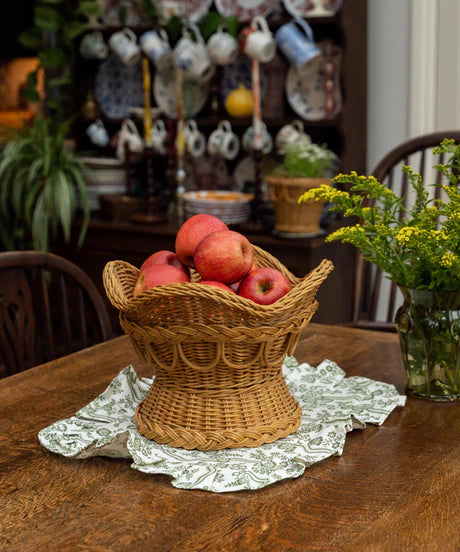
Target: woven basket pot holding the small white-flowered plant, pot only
<point>291,217</point>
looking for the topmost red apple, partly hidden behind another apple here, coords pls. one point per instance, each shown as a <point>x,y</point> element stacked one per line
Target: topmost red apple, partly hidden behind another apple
<point>192,232</point>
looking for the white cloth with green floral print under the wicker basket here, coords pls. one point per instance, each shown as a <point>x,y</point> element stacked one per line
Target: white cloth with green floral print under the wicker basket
<point>332,405</point>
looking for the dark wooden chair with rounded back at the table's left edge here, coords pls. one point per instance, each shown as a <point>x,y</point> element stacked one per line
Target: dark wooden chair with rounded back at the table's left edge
<point>48,308</point>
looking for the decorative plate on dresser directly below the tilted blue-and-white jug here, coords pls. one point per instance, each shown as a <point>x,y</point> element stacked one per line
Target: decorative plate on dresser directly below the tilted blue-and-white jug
<point>305,90</point>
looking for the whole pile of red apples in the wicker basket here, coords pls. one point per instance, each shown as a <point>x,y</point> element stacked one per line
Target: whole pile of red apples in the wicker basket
<point>223,258</point>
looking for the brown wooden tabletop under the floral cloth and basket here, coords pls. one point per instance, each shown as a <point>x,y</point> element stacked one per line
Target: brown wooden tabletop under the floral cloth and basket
<point>395,488</point>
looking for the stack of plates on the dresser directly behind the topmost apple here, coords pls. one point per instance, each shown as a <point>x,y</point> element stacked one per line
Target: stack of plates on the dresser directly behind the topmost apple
<point>231,207</point>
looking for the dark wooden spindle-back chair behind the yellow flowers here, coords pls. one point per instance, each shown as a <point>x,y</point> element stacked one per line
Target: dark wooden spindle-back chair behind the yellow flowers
<point>376,299</point>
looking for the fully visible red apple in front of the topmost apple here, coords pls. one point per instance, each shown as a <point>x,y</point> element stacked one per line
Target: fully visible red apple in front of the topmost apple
<point>225,256</point>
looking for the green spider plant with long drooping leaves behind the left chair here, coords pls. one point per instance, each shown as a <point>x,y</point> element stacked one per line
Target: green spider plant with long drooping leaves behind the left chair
<point>41,187</point>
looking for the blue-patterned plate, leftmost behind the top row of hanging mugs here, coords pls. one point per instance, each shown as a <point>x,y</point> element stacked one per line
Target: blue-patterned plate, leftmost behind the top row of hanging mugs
<point>118,87</point>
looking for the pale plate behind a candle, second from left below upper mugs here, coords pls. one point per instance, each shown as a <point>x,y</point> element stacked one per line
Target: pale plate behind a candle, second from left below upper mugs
<point>165,94</point>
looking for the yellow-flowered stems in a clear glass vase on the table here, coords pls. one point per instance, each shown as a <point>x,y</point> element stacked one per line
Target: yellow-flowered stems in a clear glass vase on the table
<point>420,252</point>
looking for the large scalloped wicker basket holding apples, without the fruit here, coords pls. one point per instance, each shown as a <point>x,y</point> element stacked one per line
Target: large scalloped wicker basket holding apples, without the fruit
<point>217,357</point>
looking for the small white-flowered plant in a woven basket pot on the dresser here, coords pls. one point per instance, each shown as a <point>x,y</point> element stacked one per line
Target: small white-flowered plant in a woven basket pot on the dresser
<point>304,165</point>
